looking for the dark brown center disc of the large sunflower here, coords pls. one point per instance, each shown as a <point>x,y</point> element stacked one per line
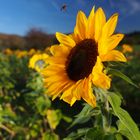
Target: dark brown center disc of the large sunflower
<point>81,59</point>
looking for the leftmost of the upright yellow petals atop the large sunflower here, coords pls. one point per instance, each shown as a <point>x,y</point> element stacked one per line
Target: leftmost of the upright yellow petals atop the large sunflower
<point>81,24</point>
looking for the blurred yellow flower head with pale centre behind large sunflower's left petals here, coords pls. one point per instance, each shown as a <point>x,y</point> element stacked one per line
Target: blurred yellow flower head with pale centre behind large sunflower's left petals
<point>37,61</point>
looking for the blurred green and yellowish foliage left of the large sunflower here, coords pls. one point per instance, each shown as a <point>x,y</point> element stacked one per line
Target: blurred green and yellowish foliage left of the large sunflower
<point>24,104</point>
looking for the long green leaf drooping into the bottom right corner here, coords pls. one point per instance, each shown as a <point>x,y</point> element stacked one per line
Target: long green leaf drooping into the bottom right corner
<point>127,126</point>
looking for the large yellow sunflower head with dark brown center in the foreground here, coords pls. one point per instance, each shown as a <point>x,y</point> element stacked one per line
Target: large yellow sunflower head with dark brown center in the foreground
<point>76,65</point>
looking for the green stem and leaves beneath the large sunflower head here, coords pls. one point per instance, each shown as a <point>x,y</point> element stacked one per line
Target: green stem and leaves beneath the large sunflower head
<point>102,127</point>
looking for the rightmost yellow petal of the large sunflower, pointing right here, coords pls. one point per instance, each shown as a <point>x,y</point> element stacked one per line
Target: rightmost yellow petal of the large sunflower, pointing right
<point>113,55</point>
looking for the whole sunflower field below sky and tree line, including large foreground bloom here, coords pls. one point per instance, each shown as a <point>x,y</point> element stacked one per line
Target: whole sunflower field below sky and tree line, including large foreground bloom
<point>84,86</point>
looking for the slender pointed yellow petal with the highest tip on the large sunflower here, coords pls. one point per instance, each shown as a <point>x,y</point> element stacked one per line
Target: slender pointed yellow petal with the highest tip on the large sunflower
<point>90,24</point>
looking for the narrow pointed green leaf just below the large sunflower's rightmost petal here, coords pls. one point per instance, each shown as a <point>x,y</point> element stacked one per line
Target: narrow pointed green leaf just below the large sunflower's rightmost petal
<point>121,75</point>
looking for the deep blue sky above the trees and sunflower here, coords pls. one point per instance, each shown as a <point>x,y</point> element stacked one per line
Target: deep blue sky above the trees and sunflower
<point>18,16</point>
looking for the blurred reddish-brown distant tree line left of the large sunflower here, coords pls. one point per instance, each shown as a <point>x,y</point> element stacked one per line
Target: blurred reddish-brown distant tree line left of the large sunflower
<point>34,38</point>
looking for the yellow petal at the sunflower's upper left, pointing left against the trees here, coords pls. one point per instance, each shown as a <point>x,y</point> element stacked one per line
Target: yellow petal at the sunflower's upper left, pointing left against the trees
<point>65,39</point>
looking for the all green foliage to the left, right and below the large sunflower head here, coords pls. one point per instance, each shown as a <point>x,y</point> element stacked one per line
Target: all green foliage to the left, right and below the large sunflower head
<point>27,113</point>
